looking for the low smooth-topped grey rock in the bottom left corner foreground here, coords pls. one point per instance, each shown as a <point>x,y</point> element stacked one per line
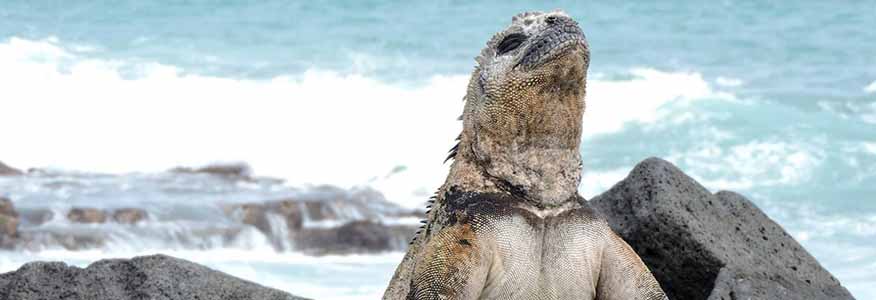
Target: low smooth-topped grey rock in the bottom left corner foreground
<point>156,277</point>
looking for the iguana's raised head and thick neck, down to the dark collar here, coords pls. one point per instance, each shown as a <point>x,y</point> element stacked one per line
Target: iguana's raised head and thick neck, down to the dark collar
<point>525,101</point>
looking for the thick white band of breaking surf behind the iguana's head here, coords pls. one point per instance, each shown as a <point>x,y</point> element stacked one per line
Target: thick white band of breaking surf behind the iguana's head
<point>317,127</point>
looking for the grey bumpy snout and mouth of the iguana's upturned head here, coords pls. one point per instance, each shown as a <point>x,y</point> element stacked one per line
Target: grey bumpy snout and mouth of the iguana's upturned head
<point>562,35</point>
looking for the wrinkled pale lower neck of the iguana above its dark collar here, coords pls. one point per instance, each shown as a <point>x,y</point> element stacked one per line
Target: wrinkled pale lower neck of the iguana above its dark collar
<point>546,176</point>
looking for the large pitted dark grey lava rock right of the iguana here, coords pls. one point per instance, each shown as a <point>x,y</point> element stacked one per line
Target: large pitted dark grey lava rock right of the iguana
<point>701,245</point>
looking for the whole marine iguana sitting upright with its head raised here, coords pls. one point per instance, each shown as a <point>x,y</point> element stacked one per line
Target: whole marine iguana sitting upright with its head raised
<point>508,223</point>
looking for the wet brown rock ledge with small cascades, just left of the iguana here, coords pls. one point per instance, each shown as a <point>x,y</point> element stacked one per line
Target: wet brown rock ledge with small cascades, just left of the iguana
<point>339,223</point>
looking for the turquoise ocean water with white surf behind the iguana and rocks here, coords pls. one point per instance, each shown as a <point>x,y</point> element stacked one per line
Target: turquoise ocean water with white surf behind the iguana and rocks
<point>774,100</point>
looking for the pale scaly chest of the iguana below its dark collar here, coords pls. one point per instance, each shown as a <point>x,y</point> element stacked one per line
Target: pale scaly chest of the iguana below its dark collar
<point>541,258</point>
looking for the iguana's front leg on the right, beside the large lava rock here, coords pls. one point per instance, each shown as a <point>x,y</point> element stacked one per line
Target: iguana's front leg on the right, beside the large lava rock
<point>623,275</point>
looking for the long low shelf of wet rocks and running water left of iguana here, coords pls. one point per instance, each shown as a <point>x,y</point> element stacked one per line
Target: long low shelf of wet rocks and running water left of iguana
<point>323,220</point>
